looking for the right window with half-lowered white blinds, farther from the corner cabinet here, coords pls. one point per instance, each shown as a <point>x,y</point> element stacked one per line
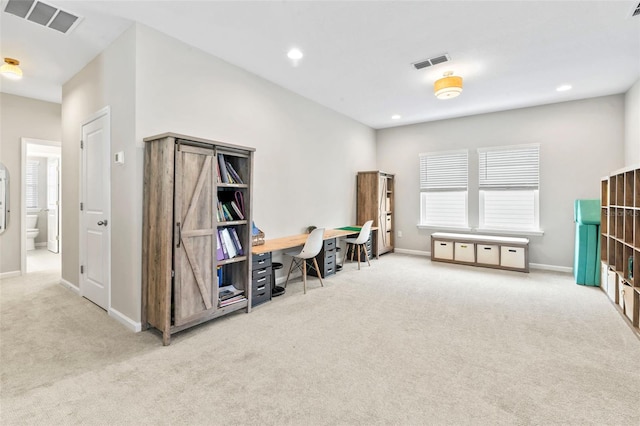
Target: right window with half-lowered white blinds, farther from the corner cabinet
<point>509,185</point>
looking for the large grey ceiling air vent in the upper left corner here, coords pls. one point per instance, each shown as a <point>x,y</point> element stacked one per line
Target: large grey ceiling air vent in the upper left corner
<point>43,14</point>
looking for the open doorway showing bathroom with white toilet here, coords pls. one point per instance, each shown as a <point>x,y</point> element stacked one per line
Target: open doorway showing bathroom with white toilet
<point>41,202</point>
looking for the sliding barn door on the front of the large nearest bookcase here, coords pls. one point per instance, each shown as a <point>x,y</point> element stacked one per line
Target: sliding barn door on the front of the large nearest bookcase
<point>194,233</point>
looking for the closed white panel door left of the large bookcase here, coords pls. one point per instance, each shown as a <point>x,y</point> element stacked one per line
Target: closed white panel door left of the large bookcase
<point>95,219</point>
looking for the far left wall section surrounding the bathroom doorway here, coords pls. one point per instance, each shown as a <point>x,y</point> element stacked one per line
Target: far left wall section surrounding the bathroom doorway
<point>21,118</point>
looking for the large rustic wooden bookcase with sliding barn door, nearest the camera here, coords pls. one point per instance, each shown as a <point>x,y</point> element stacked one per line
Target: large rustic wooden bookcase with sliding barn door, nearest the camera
<point>182,187</point>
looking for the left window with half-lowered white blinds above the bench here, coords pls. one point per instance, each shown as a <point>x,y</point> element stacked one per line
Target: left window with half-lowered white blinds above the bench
<point>443,189</point>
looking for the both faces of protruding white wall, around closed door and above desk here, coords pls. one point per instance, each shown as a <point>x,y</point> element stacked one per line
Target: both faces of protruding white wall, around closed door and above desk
<point>305,164</point>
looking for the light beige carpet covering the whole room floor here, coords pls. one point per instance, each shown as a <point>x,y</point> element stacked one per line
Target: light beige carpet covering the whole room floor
<point>406,341</point>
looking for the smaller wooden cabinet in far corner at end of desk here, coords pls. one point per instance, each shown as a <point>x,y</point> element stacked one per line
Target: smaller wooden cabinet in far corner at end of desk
<point>376,202</point>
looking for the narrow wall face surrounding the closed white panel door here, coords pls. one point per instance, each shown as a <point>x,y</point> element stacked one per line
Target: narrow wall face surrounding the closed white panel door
<point>108,80</point>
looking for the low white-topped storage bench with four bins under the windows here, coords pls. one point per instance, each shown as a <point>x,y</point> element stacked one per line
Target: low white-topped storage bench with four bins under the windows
<point>481,250</point>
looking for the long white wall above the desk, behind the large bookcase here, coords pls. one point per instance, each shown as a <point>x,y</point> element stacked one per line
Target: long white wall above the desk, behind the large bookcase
<point>307,156</point>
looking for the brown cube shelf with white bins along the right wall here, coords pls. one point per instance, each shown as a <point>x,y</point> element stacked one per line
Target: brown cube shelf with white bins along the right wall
<point>620,241</point>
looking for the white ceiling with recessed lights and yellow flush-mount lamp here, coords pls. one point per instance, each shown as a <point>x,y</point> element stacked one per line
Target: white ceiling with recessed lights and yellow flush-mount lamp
<point>358,55</point>
